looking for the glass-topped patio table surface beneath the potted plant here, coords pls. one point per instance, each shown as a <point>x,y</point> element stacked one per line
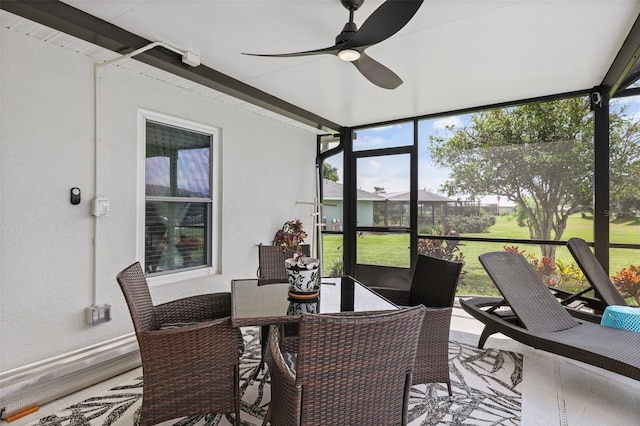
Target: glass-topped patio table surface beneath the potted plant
<point>253,304</point>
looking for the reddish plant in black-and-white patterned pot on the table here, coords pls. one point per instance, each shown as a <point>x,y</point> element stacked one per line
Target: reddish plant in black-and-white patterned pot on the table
<point>302,271</point>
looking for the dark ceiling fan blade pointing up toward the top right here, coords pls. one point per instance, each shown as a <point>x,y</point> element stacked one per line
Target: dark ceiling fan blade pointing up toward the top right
<point>384,22</point>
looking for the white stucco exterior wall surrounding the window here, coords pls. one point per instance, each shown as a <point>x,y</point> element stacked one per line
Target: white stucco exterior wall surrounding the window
<point>47,147</point>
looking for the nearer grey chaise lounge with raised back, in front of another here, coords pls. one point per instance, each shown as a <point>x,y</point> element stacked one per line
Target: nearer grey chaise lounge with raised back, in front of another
<point>543,323</point>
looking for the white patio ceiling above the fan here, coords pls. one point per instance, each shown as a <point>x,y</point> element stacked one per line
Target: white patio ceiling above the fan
<point>453,54</point>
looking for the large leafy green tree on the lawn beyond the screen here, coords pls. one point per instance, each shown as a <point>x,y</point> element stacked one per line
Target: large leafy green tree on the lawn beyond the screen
<point>538,155</point>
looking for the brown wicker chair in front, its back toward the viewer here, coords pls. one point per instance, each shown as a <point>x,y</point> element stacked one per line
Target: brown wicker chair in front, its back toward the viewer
<point>348,370</point>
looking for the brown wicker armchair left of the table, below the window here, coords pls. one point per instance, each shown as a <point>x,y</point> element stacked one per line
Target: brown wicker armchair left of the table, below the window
<point>189,352</point>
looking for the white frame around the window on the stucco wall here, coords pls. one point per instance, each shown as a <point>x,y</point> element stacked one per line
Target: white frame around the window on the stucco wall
<point>216,173</point>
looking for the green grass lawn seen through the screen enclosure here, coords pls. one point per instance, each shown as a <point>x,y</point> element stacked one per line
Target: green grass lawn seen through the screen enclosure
<point>393,249</point>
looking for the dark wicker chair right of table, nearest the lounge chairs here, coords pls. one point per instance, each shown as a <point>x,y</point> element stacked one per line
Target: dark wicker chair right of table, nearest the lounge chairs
<point>433,285</point>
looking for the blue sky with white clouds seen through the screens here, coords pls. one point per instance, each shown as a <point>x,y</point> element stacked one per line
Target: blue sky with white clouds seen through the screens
<point>392,172</point>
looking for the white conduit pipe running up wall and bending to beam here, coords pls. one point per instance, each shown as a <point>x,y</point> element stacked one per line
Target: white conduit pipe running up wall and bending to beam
<point>189,58</point>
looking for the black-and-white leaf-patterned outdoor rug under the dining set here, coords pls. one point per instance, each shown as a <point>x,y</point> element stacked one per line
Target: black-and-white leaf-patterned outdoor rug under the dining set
<point>486,391</point>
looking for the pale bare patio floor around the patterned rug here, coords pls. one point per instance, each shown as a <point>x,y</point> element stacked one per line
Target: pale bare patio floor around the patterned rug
<point>556,391</point>
